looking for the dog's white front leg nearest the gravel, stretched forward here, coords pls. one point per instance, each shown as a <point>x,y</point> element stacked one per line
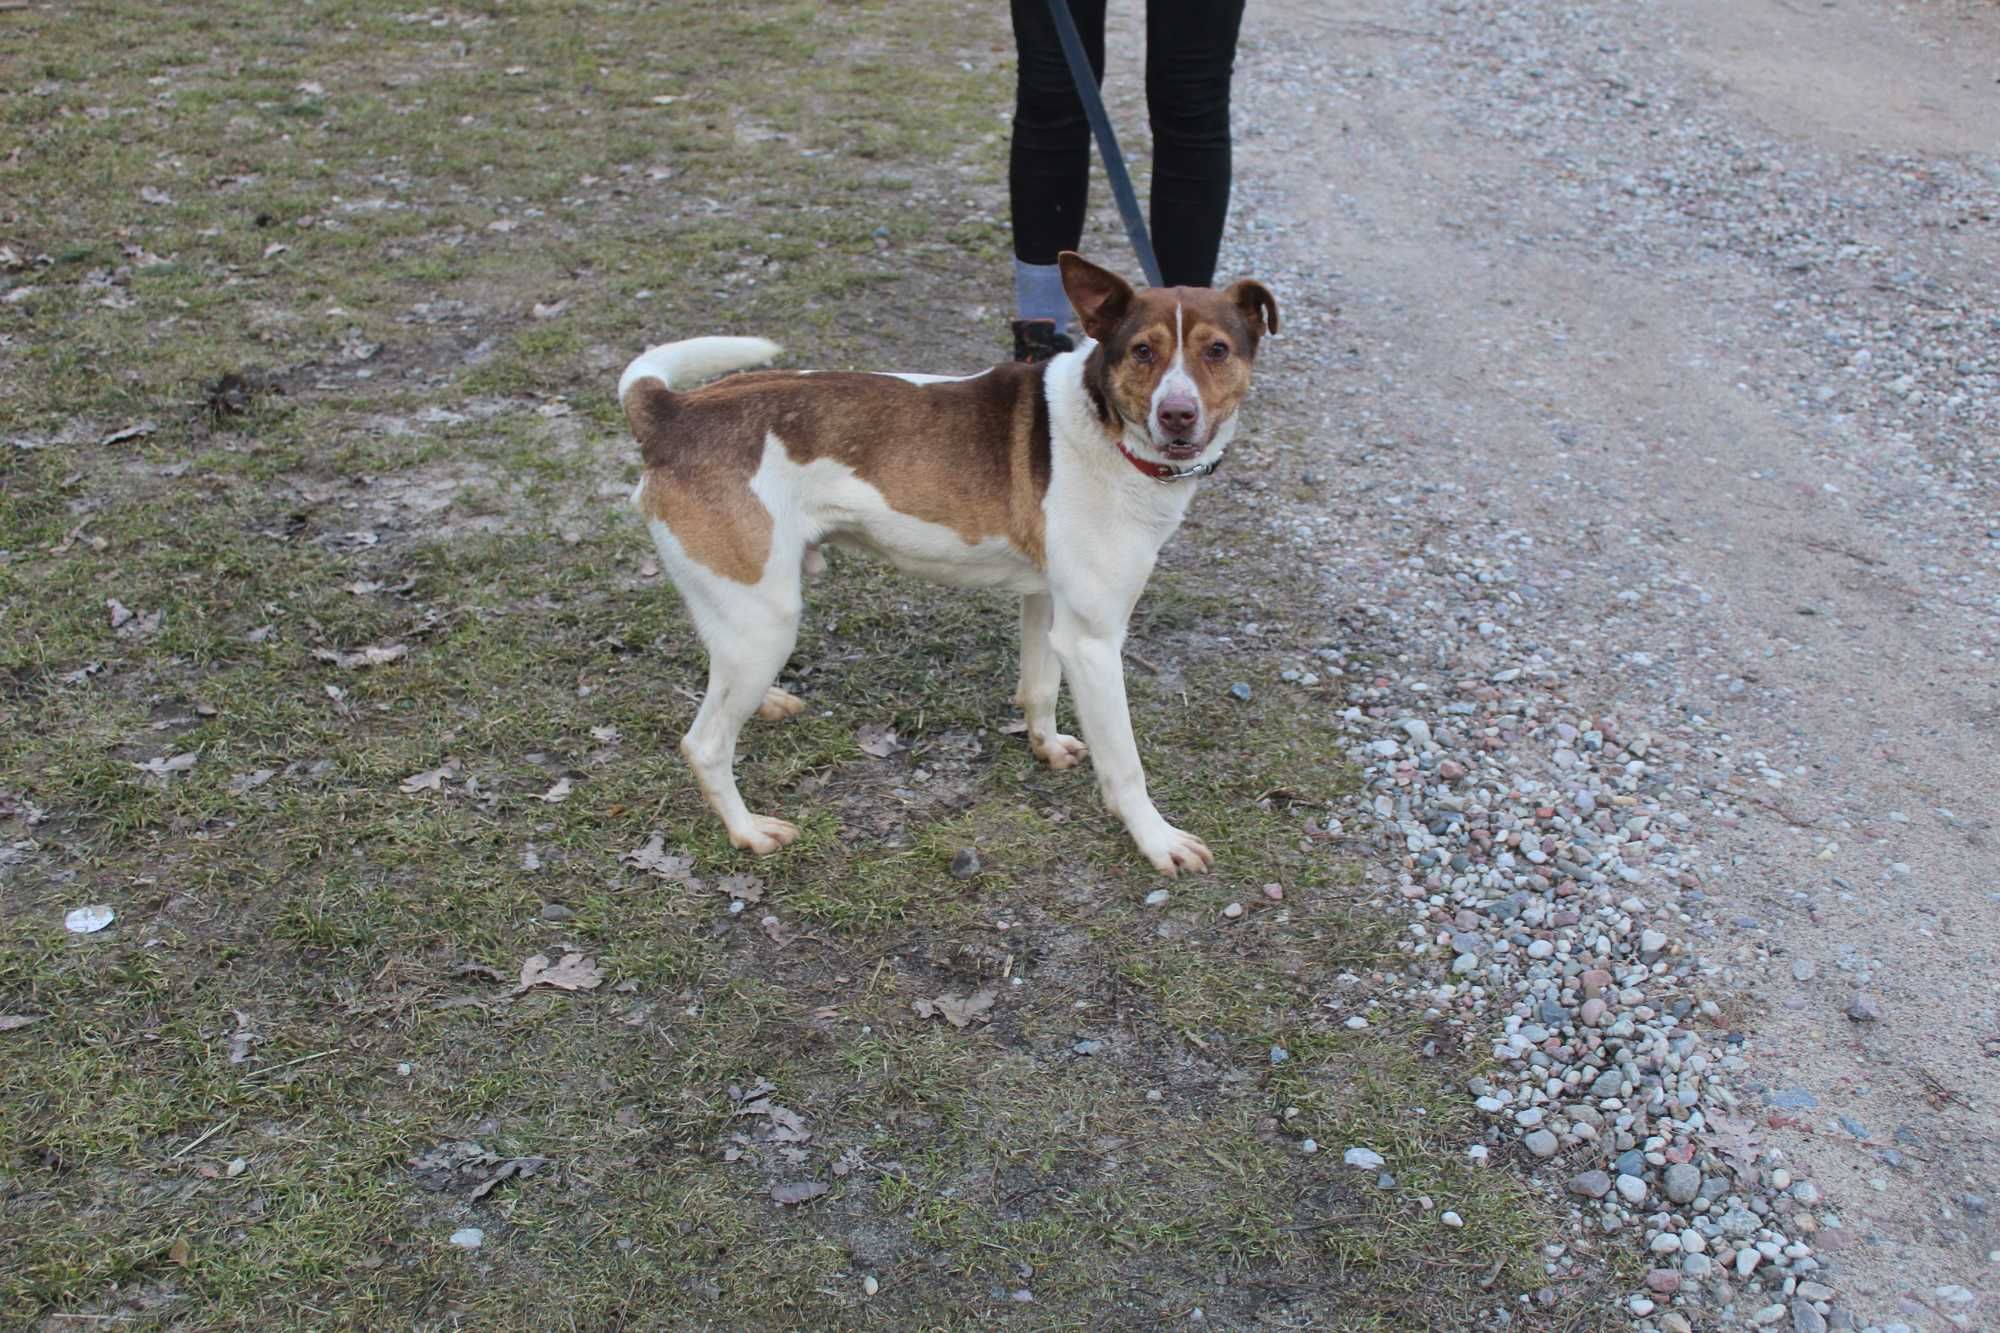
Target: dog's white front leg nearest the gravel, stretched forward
<point>1091,651</point>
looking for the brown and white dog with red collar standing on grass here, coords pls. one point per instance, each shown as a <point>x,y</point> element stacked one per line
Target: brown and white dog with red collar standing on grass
<point>1059,481</point>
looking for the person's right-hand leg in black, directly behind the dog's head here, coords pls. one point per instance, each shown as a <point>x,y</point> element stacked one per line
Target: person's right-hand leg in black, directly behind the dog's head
<point>1191,53</point>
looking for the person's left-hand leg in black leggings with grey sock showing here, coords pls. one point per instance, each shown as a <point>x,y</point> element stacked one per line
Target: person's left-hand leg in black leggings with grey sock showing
<point>1049,161</point>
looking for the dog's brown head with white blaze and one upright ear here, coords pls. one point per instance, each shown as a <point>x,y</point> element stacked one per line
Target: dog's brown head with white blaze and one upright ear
<point>1173,363</point>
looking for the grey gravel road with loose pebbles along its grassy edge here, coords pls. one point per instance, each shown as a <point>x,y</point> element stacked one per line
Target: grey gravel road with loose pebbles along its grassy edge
<point>1641,411</point>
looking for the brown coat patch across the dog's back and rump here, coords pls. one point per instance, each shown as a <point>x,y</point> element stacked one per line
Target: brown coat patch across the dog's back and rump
<point>969,455</point>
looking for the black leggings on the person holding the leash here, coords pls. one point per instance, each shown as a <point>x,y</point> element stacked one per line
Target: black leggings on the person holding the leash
<point>1191,51</point>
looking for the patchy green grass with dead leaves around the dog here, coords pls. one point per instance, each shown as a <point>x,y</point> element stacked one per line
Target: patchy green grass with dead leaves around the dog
<point>425,243</point>
